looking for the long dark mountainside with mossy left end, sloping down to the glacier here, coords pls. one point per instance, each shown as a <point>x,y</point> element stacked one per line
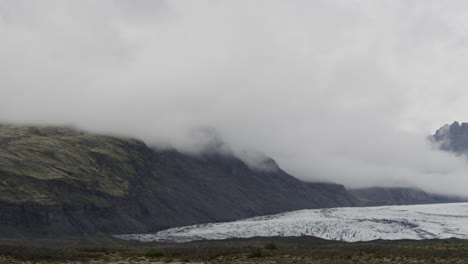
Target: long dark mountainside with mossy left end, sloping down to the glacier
<point>59,181</point>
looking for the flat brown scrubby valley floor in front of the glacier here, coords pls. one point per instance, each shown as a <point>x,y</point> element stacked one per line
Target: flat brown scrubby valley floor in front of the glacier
<point>255,250</point>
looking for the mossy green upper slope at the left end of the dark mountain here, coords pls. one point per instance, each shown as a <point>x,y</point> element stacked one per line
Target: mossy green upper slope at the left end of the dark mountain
<point>33,158</point>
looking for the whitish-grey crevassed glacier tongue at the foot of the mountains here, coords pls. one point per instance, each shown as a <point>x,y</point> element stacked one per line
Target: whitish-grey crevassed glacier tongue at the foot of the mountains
<point>345,224</point>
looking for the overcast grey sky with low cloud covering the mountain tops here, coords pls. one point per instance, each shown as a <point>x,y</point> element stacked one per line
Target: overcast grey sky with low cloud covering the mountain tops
<point>341,91</point>
